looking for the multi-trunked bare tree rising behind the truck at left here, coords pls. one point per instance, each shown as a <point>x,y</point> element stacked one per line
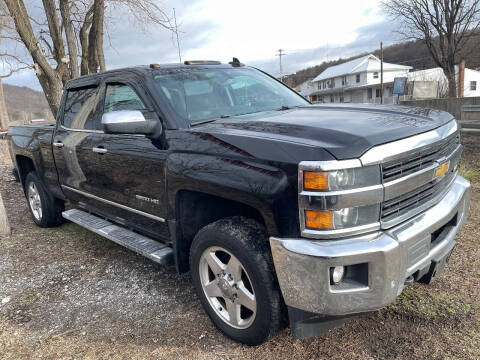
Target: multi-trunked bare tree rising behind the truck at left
<point>63,39</point>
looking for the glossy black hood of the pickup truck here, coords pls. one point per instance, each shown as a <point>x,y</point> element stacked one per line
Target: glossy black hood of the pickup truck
<point>345,131</point>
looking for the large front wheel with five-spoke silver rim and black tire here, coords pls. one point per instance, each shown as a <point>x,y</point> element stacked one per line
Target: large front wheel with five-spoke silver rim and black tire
<point>256,318</point>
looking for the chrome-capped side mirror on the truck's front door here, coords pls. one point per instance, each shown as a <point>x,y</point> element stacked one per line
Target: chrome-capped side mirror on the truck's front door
<point>129,122</point>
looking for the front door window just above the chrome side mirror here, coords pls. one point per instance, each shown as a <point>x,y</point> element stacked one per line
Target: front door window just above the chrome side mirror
<point>122,97</point>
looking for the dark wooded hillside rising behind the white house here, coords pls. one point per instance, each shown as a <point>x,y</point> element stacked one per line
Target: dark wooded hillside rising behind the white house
<point>412,53</point>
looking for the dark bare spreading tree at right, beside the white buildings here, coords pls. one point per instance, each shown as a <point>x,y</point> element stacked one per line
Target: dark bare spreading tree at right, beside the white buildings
<point>445,26</point>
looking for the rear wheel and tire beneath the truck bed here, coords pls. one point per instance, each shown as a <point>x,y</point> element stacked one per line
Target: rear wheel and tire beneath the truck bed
<point>46,211</point>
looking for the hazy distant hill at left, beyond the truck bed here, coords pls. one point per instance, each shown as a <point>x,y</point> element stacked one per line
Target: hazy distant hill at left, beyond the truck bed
<point>23,102</point>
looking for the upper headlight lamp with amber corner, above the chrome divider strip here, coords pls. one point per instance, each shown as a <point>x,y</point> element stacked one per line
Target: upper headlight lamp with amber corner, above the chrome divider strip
<point>343,179</point>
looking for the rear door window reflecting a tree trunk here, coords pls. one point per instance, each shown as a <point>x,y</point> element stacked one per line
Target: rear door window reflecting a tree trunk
<point>79,108</point>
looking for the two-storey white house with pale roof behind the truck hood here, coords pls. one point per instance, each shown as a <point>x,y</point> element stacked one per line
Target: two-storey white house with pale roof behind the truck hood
<point>357,81</point>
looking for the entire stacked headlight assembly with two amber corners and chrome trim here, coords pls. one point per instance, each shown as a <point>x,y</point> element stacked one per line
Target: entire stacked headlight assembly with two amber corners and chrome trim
<point>337,198</point>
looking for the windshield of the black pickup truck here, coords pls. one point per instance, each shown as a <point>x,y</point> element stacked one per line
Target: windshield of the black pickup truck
<point>202,94</point>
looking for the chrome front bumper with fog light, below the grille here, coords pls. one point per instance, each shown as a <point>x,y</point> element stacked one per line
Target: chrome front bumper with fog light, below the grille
<point>387,257</point>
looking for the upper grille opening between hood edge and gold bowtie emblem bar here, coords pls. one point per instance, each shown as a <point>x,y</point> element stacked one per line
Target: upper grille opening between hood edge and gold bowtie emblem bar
<point>420,160</point>
